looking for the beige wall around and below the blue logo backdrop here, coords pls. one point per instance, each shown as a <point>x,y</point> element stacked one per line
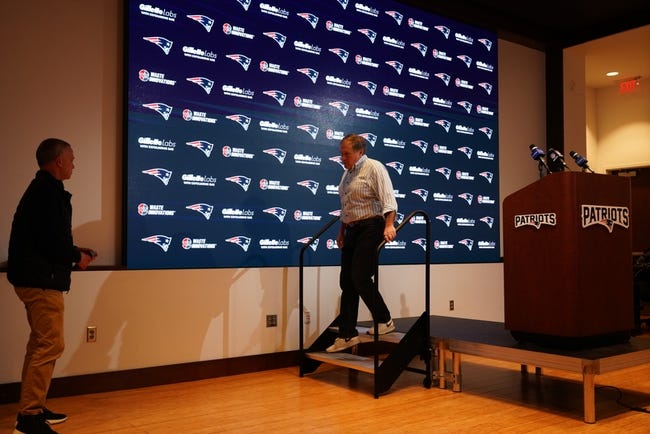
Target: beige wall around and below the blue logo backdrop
<point>61,77</point>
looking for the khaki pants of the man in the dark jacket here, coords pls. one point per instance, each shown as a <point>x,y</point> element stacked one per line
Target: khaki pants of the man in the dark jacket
<point>45,316</point>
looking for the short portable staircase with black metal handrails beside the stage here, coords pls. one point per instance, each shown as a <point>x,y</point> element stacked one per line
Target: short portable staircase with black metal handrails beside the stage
<point>383,356</point>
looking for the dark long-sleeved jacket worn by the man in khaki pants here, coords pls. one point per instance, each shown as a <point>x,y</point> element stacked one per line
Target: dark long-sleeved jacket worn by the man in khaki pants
<point>41,250</point>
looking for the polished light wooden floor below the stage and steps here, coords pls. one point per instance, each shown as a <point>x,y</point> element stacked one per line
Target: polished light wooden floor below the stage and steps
<point>496,397</point>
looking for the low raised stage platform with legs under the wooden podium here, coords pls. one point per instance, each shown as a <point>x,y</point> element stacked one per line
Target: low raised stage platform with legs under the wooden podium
<point>453,337</point>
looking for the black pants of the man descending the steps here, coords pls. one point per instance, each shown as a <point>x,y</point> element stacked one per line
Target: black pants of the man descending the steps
<point>358,266</point>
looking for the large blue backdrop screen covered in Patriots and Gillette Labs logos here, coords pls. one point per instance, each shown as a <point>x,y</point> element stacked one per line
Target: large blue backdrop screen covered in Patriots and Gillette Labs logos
<point>235,113</point>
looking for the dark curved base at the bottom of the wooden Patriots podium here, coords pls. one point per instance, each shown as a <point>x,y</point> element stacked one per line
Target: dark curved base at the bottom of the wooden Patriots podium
<point>572,343</point>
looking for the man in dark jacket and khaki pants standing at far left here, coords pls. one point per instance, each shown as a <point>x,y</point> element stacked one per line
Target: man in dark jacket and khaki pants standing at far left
<point>41,257</point>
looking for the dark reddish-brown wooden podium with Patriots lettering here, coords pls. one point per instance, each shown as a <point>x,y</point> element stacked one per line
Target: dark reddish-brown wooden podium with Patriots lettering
<point>567,261</point>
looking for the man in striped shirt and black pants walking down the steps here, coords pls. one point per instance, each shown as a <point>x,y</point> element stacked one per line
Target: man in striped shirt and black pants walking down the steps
<point>368,209</point>
